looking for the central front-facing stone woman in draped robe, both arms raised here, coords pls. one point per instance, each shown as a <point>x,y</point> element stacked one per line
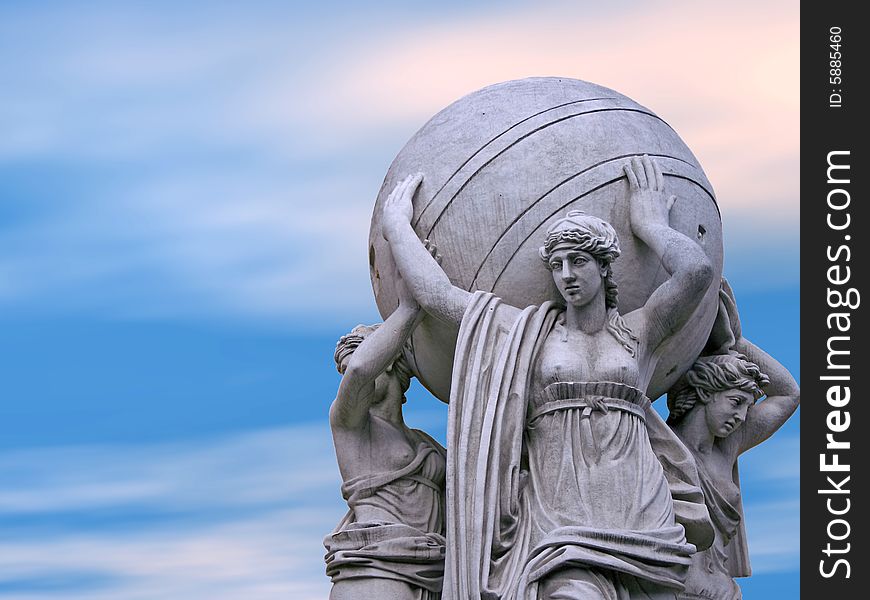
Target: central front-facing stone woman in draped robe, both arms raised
<point>562,482</point>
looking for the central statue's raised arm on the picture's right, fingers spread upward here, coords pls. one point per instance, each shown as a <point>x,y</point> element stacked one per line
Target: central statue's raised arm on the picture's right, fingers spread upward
<point>691,272</point>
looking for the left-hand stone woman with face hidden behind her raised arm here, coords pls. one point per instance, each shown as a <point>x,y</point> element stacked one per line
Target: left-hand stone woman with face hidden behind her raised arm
<point>390,543</point>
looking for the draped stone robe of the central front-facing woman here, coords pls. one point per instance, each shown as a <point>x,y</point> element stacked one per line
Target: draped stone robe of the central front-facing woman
<point>504,534</point>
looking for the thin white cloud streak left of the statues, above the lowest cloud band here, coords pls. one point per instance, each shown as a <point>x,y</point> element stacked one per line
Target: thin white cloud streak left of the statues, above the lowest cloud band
<point>245,470</point>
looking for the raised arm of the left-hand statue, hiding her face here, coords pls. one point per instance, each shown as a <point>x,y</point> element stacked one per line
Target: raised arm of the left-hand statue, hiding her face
<point>375,354</point>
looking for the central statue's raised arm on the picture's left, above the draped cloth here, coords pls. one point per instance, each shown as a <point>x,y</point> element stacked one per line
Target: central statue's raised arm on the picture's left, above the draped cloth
<point>424,277</point>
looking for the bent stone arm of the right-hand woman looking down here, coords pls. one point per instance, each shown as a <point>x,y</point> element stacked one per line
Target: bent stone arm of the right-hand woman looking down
<point>783,397</point>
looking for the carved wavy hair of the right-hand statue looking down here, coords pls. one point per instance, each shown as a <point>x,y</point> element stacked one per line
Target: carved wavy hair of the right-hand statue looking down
<point>714,374</point>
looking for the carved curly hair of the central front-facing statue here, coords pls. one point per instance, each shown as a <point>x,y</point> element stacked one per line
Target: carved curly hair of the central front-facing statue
<point>597,237</point>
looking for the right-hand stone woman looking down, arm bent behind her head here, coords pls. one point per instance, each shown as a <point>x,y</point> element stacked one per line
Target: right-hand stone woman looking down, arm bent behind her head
<point>713,410</point>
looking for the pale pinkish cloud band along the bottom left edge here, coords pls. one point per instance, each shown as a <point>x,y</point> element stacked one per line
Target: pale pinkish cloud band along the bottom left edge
<point>275,555</point>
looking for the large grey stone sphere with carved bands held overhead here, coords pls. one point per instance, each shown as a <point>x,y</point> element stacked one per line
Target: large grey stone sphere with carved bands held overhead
<point>501,165</point>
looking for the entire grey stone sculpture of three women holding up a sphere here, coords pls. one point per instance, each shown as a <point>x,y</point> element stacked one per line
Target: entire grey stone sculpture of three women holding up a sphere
<point>574,243</point>
